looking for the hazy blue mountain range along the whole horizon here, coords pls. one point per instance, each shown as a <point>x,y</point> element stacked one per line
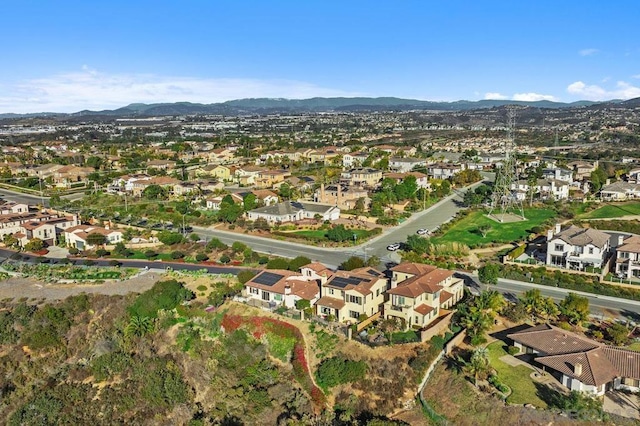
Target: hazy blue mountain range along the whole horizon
<point>278,105</point>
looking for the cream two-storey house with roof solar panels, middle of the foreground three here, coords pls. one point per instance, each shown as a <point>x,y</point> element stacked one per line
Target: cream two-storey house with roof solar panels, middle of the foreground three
<point>348,295</point>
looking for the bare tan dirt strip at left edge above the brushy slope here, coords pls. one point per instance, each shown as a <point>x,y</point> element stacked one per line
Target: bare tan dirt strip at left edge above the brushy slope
<point>18,287</point>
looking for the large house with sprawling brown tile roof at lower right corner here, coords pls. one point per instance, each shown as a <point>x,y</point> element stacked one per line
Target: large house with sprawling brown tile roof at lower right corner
<point>579,363</point>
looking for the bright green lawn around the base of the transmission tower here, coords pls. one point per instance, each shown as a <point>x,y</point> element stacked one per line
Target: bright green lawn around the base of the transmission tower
<point>466,232</point>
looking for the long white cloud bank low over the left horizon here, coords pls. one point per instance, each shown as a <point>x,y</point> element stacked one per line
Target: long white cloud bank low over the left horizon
<point>91,89</point>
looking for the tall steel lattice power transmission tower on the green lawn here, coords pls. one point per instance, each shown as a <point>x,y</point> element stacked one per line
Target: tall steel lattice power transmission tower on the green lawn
<point>505,191</point>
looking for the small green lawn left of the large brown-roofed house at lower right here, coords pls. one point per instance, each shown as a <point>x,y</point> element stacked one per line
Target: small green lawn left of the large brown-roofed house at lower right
<point>517,378</point>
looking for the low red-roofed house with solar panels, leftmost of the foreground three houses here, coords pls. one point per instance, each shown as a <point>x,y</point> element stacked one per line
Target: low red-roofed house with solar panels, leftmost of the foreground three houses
<point>281,287</point>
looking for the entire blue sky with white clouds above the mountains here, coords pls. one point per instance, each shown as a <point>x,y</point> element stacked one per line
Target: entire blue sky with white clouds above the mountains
<point>66,56</point>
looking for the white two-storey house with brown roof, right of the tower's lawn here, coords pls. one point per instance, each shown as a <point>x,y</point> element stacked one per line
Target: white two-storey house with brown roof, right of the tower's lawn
<point>576,248</point>
